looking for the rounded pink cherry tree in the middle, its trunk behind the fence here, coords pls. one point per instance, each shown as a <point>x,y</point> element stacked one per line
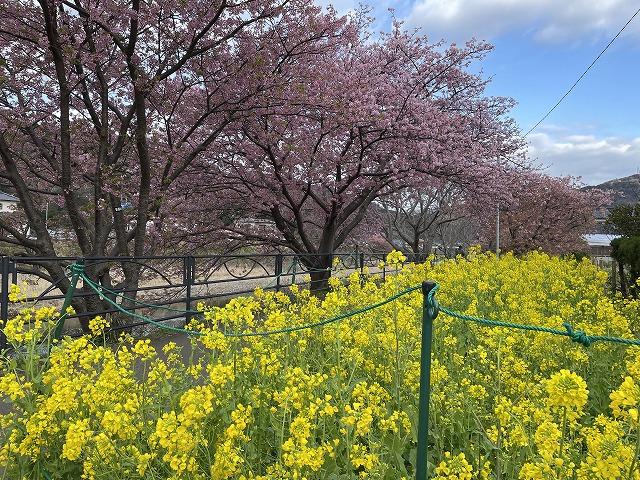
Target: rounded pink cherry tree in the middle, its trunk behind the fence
<point>367,118</point>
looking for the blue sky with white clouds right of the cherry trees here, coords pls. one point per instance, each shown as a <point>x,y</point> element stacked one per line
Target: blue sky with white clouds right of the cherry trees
<point>540,48</point>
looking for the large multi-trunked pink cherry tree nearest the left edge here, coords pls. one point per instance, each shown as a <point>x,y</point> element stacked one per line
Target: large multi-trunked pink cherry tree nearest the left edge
<point>112,104</point>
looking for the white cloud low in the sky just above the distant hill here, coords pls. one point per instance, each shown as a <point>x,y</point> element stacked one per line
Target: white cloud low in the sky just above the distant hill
<point>595,159</point>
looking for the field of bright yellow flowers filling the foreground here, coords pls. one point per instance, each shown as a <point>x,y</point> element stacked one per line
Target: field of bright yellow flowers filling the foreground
<point>341,401</point>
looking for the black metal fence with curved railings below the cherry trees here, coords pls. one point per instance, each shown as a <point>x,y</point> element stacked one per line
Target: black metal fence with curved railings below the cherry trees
<point>176,283</point>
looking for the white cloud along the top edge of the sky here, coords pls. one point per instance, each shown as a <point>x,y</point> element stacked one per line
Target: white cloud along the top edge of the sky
<point>546,20</point>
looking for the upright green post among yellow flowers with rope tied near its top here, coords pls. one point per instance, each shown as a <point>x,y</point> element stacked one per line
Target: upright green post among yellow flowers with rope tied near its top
<point>429,313</point>
